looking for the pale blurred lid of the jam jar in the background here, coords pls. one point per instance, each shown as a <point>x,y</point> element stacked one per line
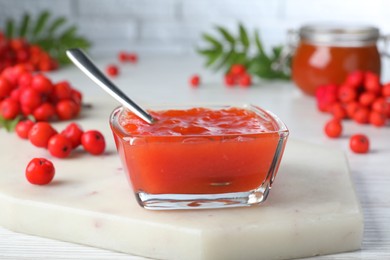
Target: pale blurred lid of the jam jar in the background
<point>340,35</point>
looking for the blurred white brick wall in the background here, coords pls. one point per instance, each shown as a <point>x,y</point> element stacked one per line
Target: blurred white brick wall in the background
<point>175,26</point>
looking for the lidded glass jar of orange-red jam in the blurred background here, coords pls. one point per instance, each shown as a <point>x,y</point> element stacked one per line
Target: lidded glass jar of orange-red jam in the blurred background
<point>326,54</point>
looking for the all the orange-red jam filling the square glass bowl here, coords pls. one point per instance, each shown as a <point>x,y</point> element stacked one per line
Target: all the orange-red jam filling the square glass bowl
<point>197,151</point>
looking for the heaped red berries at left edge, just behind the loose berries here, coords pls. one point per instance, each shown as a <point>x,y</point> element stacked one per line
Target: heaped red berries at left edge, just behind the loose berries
<point>27,94</point>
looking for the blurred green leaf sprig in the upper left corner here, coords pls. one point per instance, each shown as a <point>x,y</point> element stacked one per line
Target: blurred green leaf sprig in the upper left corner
<point>50,33</point>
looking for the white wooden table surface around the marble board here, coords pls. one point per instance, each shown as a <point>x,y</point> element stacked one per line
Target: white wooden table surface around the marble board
<point>164,79</point>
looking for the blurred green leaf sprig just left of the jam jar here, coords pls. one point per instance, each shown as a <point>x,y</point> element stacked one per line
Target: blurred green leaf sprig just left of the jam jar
<point>227,49</point>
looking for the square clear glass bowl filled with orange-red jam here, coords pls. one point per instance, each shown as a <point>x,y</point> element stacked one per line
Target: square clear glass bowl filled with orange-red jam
<point>180,165</point>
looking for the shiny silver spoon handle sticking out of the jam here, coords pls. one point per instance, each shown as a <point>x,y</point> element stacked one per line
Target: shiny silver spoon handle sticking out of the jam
<point>85,64</point>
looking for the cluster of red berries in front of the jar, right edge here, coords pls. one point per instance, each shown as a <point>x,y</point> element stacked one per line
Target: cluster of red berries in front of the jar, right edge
<point>361,98</point>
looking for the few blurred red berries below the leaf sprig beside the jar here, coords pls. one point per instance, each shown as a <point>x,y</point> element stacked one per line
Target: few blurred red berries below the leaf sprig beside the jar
<point>237,75</point>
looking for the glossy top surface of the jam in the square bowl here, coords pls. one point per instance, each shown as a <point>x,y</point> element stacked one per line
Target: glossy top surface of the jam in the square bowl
<point>198,121</point>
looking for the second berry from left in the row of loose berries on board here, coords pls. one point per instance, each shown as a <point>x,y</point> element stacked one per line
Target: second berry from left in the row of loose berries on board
<point>40,134</point>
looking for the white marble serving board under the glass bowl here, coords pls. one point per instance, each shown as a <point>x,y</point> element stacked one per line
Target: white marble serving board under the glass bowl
<point>312,208</point>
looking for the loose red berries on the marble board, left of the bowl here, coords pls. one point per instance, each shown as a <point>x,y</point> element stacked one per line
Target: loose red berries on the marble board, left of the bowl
<point>40,171</point>
